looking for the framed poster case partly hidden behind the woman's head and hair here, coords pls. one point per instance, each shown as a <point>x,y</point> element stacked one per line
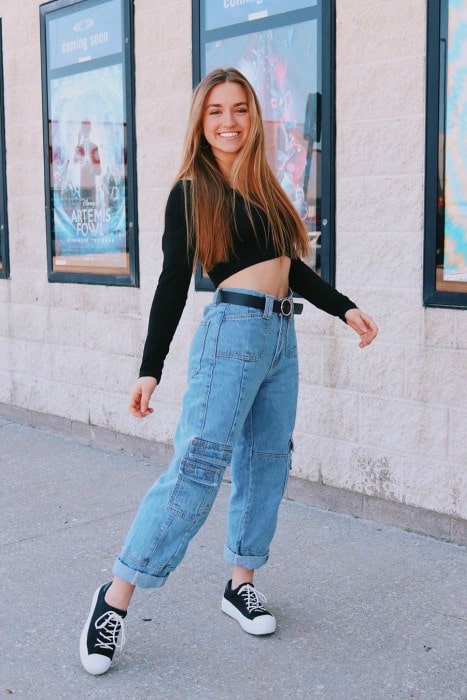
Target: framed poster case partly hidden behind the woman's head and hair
<point>279,47</point>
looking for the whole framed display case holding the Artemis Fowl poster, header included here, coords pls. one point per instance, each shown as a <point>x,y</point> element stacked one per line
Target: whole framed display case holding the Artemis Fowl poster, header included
<point>87,68</point>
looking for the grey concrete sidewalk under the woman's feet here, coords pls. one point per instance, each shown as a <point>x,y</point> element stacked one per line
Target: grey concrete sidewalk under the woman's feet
<point>364,611</point>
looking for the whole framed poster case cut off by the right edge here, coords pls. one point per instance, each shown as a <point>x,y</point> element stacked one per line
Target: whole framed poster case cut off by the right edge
<point>445,273</point>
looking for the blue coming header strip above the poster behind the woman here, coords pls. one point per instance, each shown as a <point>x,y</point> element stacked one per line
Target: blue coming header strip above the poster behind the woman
<point>223,13</point>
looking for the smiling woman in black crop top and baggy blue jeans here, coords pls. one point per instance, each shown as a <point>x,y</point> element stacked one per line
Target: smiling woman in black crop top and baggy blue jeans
<point>227,210</point>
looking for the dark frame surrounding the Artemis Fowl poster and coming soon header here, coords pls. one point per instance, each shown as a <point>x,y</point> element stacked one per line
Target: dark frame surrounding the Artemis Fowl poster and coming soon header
<point>108,279</point>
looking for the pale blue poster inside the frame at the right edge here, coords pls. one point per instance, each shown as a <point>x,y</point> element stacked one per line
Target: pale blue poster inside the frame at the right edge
<point>455,193</point>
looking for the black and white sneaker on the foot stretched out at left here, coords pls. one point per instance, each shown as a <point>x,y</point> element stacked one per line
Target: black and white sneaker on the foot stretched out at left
<point>99,637</point>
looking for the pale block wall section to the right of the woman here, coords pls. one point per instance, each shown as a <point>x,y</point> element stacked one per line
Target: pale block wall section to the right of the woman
<point>406,437</point>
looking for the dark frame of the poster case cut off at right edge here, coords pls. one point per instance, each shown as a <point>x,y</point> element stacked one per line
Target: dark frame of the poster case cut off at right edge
<point>436,66</point>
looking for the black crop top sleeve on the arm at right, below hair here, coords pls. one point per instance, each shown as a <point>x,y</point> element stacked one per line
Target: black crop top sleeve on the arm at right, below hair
<point>307,284</point>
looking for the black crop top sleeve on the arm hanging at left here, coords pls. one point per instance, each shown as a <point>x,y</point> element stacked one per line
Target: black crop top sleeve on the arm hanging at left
<point>172,288</point>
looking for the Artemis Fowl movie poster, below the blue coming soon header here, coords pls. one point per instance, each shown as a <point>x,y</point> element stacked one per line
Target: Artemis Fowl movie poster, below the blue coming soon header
<point>87,166</point>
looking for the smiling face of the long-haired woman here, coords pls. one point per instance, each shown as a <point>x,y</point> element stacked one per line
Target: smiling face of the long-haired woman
<point>226,121</point>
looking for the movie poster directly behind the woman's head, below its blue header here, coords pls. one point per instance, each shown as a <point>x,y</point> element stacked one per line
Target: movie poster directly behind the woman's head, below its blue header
<point>281,64</point>
